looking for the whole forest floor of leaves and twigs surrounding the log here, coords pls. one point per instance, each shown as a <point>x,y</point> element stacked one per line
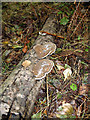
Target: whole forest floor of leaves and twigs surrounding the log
<point>21,23</point>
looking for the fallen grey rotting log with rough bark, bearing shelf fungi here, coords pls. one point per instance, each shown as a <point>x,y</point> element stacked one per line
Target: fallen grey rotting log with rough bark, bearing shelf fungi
<point>18,92</point>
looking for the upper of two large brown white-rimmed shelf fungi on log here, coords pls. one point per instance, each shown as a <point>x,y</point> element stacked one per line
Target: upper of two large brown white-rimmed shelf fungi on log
<point>44,50</point>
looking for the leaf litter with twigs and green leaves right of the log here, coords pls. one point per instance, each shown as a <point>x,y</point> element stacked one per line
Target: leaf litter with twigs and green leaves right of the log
<point>68,91</point>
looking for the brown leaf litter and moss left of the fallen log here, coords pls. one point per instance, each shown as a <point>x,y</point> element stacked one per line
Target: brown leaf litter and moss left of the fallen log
<point>19,31</point>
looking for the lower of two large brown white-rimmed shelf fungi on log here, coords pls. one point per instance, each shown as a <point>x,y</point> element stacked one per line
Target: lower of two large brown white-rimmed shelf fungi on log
<point>42,68</point>
